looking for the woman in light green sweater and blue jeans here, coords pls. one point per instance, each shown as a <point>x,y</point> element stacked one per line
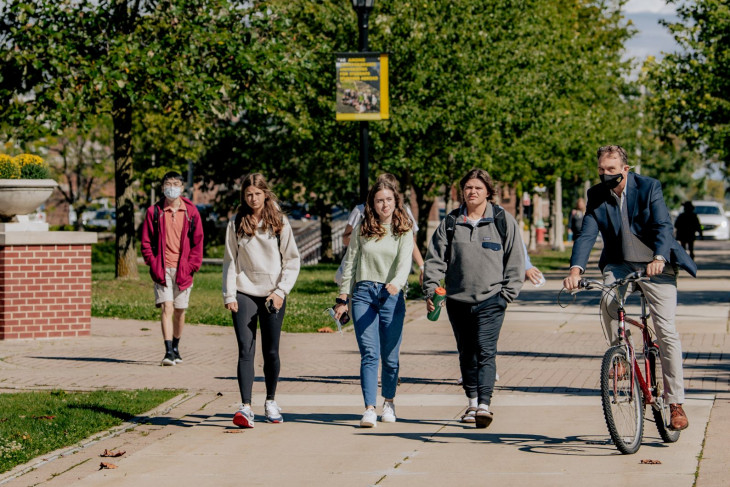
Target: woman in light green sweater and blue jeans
<point>377,262</point>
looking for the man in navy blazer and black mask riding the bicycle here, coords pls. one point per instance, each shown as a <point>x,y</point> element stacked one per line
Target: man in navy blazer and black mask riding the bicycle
<point>629,211</point>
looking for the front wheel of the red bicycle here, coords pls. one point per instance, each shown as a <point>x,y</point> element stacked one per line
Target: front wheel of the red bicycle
<point>622,404</point>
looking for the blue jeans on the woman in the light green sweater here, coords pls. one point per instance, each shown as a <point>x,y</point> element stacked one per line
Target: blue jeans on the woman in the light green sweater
<point>378,318</point>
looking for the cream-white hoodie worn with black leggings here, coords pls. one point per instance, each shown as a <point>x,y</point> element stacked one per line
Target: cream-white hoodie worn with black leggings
<point>256,265</point>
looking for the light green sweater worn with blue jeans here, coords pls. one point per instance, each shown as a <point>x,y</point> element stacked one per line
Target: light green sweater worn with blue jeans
<point>387,260</point>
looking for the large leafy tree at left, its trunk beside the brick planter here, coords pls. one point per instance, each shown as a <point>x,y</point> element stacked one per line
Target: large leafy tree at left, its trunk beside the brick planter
<point>66,62</point>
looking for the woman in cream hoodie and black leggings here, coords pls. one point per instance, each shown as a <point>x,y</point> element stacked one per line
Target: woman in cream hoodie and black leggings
<point>260,267</point>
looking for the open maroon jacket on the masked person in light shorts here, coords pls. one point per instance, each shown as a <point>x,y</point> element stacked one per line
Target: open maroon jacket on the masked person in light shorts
<point>191,252</point>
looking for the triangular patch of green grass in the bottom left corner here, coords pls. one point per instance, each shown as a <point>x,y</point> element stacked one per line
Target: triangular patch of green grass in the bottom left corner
<point>35,423</point>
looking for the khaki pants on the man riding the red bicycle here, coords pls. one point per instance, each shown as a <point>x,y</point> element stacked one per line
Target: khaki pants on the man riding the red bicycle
<point>661,298</point>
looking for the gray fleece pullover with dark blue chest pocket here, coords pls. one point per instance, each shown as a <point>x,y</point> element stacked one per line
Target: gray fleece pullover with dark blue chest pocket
<point>476,270</point>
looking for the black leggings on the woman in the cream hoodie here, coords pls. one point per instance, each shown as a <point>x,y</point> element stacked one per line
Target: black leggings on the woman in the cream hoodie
<point>251,310</point>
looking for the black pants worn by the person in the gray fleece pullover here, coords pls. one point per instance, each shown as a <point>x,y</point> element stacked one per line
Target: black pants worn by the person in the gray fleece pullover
<point>476,329</point>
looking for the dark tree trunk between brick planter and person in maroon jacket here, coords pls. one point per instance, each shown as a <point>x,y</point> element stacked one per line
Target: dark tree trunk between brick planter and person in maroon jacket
<point>126,256</point>
